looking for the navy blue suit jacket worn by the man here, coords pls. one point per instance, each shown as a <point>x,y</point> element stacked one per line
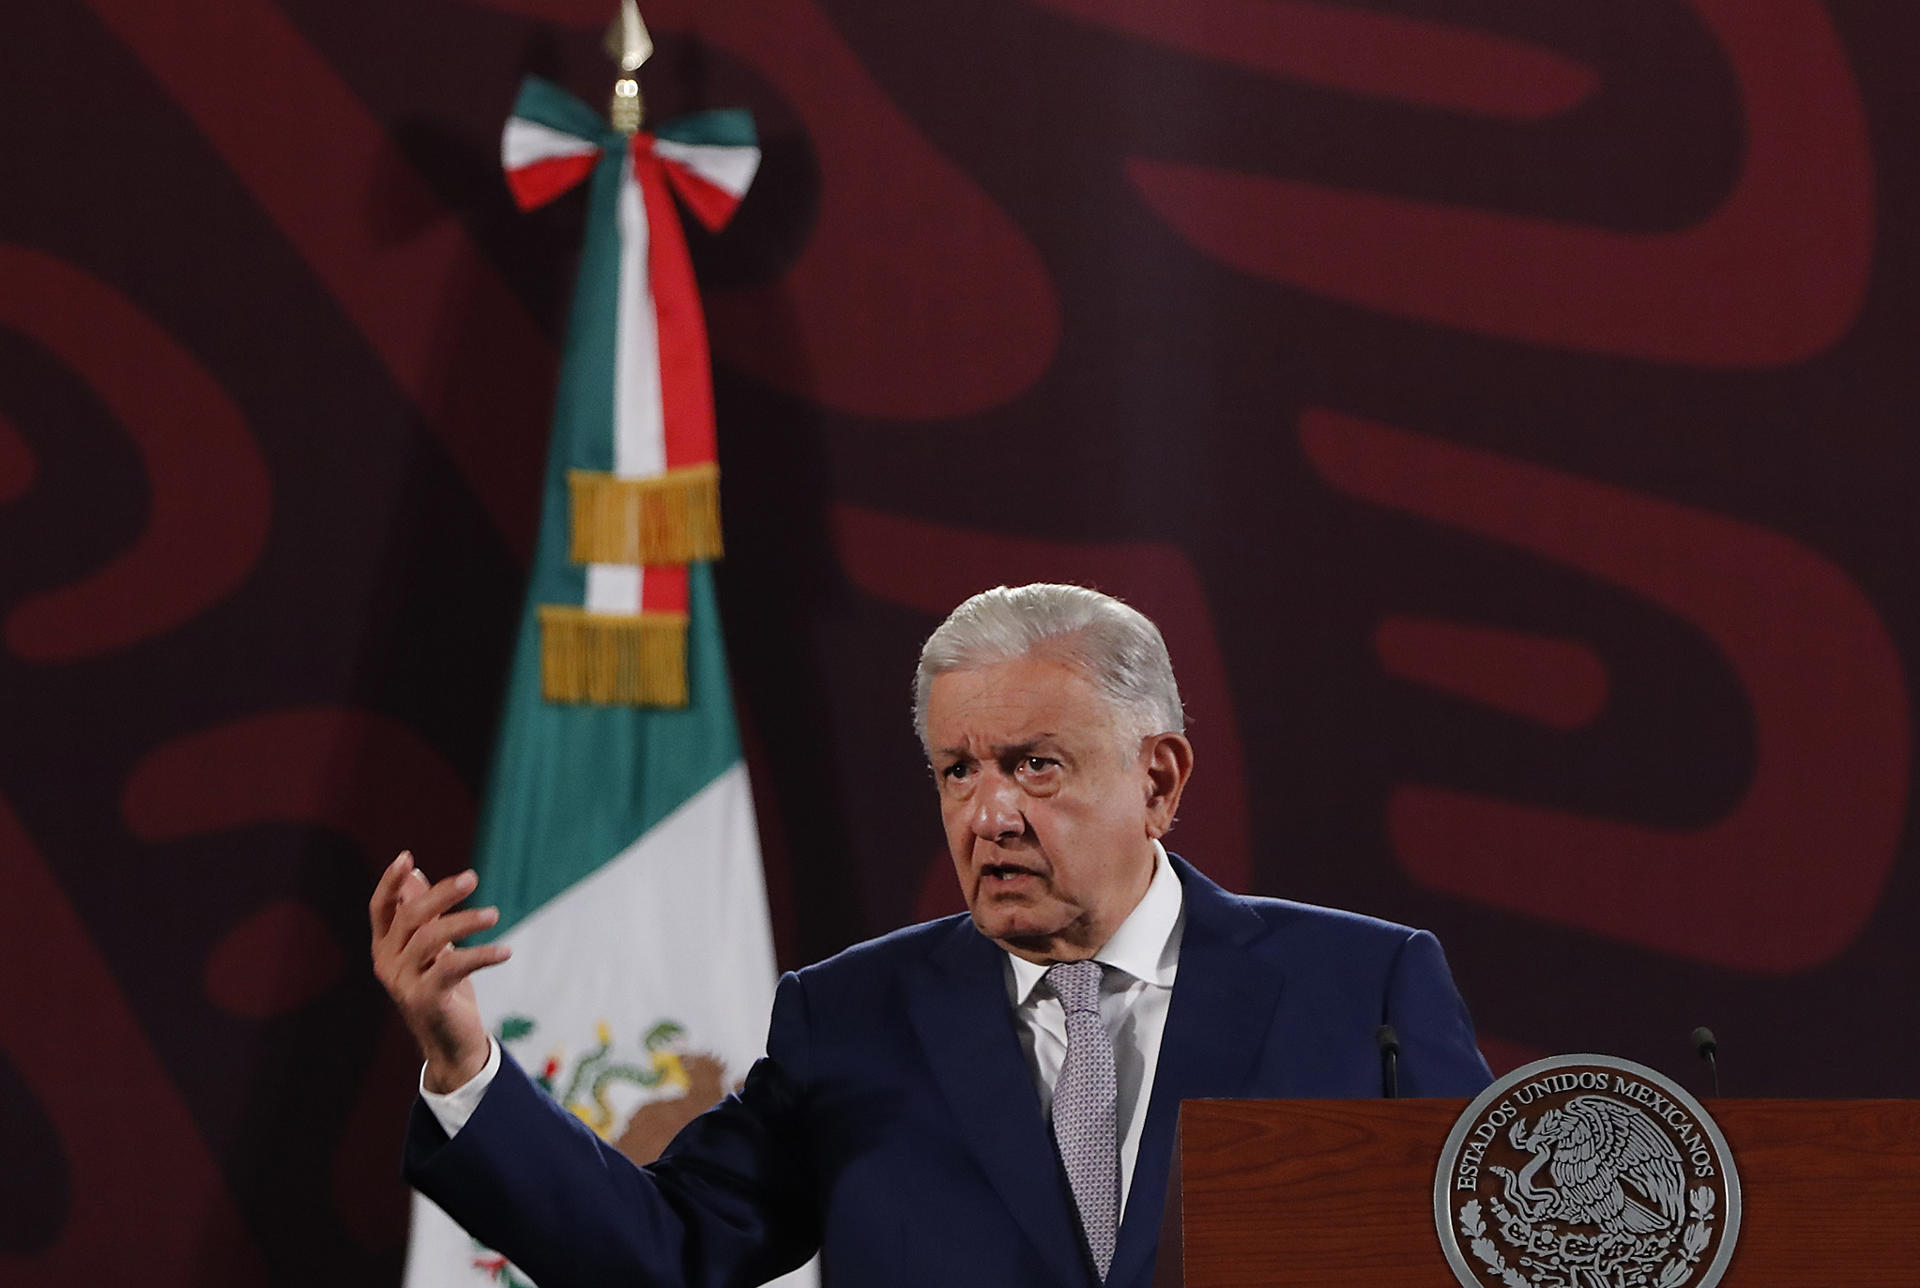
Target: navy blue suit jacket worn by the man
<point>896,1126</point>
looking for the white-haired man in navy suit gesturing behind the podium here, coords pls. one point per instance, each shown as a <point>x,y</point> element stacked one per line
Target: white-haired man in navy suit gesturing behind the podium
<point>978,1101</point>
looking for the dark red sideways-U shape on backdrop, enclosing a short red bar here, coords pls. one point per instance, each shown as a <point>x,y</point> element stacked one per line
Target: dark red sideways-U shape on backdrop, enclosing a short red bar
<point>1817,667</point>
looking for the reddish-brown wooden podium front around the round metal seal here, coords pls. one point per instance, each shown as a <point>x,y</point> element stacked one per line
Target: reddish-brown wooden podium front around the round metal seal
<point>1339,1193</point>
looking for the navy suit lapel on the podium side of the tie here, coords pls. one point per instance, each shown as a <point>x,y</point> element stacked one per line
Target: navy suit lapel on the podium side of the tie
<point>1216,1030</point>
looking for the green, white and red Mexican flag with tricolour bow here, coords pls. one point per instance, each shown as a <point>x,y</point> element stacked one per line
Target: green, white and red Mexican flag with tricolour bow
<point>619,838</point>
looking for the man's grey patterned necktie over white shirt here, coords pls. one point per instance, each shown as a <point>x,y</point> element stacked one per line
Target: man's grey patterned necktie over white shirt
<point>1084,1109</point>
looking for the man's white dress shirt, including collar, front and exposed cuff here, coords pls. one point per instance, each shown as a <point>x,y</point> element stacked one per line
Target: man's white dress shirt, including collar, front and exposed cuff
<point>1136,993</point>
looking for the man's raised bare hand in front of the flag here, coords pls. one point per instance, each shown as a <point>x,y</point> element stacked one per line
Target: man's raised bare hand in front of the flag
<point>431,982</point>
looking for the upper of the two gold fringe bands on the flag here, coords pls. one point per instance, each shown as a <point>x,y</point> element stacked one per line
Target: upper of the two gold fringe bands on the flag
<point>669,519</point>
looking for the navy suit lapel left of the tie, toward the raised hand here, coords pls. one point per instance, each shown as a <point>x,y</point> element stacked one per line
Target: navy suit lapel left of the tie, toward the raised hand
<point>959,1011</point>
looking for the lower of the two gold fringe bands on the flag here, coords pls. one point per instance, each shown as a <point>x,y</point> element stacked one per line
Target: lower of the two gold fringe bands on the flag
<point>613,661</point>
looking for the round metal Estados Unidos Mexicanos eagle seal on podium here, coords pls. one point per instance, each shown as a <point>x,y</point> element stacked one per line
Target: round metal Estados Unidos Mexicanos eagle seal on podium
<point>1587,1172</point>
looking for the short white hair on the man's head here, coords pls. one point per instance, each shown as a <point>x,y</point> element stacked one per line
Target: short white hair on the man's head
<point>1111,644</point>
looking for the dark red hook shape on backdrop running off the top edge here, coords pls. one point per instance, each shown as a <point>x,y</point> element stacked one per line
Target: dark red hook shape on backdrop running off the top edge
<point>1775,275</point>
